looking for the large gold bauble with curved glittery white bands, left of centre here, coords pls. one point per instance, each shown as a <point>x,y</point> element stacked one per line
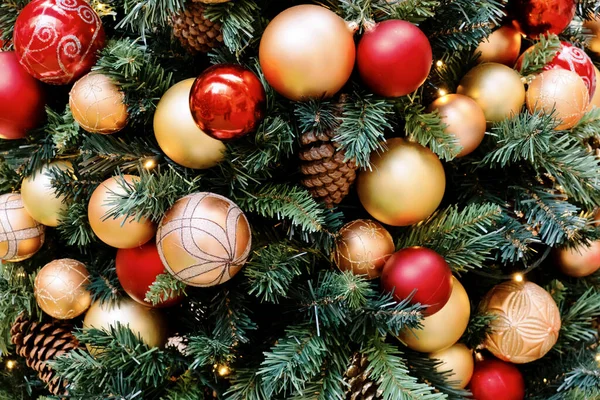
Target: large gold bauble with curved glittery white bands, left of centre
<point>204,239</point>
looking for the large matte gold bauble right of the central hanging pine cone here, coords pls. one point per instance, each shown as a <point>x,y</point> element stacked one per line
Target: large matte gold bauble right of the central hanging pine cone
<point>405,185</point>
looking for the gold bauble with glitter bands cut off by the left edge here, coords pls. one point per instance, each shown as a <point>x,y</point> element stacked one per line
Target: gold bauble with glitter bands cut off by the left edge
<point>21,236</point>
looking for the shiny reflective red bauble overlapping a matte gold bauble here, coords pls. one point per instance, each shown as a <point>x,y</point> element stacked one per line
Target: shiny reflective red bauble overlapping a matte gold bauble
<point>227,101</point>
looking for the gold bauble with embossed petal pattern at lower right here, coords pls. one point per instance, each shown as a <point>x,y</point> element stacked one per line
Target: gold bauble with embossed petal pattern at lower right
<point>527,321</point>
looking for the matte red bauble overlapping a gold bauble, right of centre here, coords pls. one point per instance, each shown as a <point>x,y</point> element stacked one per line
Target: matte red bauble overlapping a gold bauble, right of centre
<point>421,269</point>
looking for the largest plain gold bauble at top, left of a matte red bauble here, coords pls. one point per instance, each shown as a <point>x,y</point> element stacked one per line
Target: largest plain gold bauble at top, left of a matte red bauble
<point>306,52</point>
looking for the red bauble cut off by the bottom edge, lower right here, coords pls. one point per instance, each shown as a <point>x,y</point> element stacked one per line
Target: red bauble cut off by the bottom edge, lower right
<point>494,379</point>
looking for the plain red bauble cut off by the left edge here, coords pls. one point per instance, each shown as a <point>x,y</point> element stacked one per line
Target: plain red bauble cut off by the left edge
<point>21,98</point>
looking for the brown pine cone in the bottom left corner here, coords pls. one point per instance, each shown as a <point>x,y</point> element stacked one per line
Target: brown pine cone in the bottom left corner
<point>39,342</point>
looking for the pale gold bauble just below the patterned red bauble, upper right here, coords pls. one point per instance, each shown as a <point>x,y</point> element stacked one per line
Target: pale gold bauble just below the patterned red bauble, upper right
<point>561,91</point>
